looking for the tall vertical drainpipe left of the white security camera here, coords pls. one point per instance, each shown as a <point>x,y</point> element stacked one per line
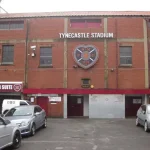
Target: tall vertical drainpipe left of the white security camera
<point>26,55</point>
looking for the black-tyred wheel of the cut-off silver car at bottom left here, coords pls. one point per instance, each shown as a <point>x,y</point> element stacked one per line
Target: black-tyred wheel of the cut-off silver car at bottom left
<point>16,140</point>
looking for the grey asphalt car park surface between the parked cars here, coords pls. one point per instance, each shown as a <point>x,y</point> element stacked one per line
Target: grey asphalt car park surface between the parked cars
<point>88,134</point>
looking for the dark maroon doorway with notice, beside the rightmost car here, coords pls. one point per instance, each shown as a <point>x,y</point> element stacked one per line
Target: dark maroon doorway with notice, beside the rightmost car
<point>132,104</point>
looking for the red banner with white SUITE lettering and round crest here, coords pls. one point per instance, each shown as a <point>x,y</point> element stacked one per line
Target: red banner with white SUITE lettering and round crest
<point>11,87</point>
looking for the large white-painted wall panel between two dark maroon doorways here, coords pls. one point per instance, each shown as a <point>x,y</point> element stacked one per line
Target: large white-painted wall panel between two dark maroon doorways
<point>106,106</point>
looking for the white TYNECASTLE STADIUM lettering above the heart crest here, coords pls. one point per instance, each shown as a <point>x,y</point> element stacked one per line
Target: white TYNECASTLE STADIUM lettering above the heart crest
<point>86,35</point>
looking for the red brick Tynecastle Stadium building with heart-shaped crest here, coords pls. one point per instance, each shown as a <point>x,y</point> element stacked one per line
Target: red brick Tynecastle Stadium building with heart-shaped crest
<point>87,64</point>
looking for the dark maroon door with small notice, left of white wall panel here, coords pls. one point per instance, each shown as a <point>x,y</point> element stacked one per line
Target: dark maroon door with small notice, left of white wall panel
<point>75,106</point>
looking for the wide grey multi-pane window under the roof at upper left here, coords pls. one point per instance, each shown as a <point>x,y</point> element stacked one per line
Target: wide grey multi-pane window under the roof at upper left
<point>11,25</point>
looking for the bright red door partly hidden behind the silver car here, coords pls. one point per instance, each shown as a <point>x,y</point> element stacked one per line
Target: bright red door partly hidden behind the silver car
<point>43,102</point>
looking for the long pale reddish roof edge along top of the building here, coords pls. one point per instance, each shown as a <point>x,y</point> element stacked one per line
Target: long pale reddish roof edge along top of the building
<point>76,14</point>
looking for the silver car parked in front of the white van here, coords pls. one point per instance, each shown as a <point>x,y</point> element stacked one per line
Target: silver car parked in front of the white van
<point>28,118</point>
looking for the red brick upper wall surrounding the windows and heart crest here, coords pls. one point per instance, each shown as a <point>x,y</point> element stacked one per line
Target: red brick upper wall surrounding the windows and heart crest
<point>49,28</point>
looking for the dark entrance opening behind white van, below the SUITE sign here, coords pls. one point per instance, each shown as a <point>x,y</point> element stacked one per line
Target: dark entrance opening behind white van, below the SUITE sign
<point>2,97</point>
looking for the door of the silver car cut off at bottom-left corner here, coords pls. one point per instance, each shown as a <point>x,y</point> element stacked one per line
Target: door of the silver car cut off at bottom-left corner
<point>5,133</point>
